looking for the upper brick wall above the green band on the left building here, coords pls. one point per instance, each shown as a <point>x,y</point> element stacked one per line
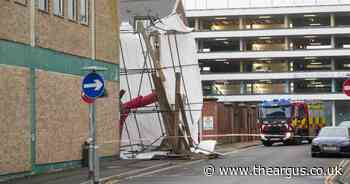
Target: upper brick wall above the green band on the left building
<point>58,32</point>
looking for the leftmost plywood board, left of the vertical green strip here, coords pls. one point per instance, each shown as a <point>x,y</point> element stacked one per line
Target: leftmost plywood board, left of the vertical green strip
<point>14,120</point>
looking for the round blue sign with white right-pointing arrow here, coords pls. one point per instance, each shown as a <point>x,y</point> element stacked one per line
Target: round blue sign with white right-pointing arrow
<point>93,85</point>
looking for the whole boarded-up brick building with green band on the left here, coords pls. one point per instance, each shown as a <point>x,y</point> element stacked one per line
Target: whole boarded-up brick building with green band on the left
<point>44,44</point>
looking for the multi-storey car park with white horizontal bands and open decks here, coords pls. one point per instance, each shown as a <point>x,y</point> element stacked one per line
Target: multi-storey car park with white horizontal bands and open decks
<point>250,51</point>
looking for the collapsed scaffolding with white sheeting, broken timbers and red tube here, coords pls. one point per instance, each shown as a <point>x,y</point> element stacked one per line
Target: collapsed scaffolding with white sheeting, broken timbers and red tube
<point>159,60</point>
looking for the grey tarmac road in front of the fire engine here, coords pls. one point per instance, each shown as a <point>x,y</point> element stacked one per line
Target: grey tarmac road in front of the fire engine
<point>283,161</point>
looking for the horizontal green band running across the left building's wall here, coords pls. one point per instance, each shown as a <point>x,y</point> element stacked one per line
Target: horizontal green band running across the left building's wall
<point>12,53</point>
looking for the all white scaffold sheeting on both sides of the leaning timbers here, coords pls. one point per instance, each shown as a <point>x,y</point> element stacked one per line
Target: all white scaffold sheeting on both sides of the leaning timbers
<point>177,54</point>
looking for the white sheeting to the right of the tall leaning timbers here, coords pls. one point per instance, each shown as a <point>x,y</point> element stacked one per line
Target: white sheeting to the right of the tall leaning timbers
<point>181,49</point>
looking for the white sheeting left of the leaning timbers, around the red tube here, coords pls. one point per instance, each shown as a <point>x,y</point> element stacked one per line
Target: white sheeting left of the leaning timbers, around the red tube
<point>132,54</point>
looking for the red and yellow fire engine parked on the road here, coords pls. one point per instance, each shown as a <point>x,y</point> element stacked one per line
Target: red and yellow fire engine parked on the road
<point>289,121</point>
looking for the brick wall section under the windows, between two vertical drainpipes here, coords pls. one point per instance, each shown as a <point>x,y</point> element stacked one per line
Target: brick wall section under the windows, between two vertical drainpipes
<point>60,34</point>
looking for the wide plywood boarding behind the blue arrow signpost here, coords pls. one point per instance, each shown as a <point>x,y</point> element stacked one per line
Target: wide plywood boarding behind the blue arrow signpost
<point>63,122</point>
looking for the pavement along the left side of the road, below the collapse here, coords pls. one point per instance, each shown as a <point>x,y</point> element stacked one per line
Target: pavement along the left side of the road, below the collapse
<point>116,170</point>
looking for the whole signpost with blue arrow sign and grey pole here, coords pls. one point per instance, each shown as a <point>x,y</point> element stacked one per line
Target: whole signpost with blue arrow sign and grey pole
<point>93,87</point>
